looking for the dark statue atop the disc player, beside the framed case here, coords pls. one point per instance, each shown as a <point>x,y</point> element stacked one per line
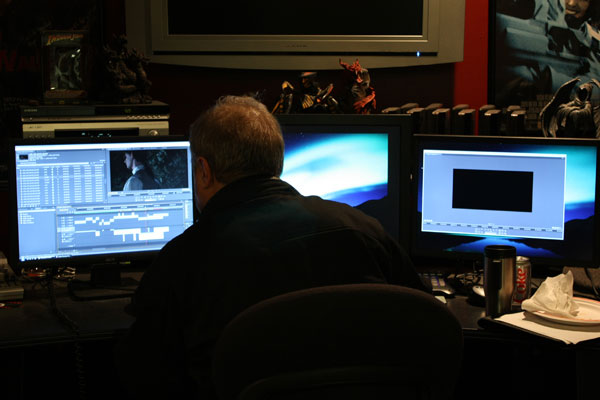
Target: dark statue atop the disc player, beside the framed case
<point>125,71</point>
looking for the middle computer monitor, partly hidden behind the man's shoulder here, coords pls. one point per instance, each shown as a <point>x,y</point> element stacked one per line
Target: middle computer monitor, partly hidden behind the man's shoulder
<point>361,160</point>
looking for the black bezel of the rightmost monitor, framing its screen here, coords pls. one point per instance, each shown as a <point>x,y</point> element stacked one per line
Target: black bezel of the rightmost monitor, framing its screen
<point>426,256</point>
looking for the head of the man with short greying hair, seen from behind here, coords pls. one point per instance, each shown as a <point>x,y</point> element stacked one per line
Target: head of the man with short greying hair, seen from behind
<point>237,137</point>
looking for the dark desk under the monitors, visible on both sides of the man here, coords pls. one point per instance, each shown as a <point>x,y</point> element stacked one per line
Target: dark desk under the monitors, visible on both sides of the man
<point>38,358</point>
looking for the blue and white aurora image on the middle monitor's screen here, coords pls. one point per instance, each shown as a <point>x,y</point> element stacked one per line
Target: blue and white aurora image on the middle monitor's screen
<point>349,168</point>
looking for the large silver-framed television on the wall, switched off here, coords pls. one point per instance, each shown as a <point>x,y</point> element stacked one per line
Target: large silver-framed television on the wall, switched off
<point>311,35</point>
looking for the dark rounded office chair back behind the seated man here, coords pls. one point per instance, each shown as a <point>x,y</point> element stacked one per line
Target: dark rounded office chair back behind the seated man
<point>357,341</point>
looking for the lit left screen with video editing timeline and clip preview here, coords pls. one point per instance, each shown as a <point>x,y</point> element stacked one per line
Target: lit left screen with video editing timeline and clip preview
<point>91,199</point>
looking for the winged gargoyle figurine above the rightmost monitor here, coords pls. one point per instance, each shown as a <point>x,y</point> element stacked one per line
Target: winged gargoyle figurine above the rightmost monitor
<point>577,117</point>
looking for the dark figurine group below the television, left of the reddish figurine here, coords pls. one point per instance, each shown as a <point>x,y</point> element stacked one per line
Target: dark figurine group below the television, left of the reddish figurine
<point>310,98</point>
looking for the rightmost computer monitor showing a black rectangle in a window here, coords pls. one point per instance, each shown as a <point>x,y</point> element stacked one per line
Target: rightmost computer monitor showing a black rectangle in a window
<point>539,195</point>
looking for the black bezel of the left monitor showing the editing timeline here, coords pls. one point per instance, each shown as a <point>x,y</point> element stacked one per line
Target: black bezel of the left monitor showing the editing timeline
<point>125,258</point>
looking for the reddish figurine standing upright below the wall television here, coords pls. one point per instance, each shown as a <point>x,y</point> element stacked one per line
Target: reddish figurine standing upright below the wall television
<point>360,97</point>
